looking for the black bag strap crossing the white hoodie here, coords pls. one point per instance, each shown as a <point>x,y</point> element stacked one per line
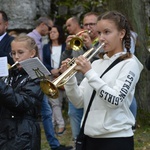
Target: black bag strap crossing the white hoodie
<point>94,92</point>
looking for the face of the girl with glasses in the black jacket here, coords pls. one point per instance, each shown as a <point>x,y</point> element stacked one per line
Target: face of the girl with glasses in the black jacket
<point>20,51</point>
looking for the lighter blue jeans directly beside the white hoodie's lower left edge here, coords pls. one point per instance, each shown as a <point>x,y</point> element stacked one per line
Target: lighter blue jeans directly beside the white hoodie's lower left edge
<point>75,115</point>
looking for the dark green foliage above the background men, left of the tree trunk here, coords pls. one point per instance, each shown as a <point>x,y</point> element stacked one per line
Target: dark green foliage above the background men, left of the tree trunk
<point>73,8</point>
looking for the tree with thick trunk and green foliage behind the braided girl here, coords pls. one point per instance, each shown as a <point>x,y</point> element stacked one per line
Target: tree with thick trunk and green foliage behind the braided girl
<point>135,12</point>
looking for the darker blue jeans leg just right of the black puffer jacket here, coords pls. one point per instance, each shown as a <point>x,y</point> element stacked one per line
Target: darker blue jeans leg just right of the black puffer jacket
<point>46,113</point>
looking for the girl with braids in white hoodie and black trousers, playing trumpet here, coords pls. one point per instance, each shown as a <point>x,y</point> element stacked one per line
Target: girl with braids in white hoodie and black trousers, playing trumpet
<point>109,121</point>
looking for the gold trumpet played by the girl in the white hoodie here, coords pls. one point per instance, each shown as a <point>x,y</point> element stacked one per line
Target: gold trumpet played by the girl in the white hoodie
<point>50,88</point>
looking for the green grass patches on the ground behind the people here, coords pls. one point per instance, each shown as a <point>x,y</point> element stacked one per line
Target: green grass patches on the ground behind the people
<point>141,137</point>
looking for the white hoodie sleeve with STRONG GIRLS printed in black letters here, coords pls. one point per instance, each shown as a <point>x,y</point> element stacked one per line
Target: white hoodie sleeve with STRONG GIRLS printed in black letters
<point>115,93</point>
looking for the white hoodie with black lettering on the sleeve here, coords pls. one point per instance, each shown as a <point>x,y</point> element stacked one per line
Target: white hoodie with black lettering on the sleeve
<point>109,115</point>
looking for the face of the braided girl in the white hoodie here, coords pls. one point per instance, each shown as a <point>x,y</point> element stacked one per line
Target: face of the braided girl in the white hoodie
<point>110,35</point>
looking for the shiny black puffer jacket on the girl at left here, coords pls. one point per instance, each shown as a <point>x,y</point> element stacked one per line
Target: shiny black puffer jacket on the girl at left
<point>20,102</point>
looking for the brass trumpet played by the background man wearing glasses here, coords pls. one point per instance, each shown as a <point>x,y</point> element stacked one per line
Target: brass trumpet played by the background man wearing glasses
<point>76,43</point>
